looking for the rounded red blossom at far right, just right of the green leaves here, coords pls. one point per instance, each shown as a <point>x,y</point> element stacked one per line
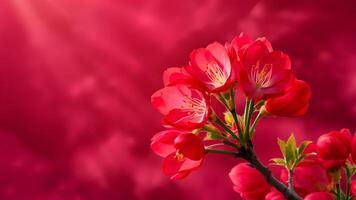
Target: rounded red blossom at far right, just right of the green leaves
<point>334,148</point>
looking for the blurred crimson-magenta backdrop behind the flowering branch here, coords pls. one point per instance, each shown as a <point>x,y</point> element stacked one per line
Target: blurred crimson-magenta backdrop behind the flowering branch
<point>76,78</point>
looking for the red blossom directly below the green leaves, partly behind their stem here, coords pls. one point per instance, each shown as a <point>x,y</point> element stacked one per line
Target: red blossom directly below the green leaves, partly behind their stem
<point>308,177</point>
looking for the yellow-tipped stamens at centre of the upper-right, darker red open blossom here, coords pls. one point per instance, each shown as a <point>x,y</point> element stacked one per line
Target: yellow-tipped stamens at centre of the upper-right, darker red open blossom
<point>261,75</point>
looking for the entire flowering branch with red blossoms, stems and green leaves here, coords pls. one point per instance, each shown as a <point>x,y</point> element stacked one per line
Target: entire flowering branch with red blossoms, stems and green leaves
<point>217,73</point>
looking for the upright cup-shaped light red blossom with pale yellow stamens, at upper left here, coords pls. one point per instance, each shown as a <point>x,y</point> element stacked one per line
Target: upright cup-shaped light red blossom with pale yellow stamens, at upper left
<point>211,67</point>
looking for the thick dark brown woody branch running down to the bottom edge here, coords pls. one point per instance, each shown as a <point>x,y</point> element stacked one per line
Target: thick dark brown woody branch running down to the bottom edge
<point>250,156</point>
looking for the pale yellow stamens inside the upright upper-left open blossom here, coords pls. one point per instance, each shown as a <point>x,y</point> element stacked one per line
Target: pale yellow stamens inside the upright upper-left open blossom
<point>215,74</point>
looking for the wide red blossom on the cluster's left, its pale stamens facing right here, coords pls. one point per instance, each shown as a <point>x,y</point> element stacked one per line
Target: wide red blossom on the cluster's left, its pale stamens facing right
<point>182,106</point>
